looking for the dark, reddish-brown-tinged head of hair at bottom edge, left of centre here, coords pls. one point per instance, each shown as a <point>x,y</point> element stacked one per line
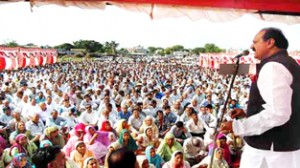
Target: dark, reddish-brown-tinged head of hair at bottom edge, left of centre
<point>122,158</point>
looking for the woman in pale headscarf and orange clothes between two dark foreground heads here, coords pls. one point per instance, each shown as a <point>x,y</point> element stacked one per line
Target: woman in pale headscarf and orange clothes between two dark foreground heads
<point>80,153</point>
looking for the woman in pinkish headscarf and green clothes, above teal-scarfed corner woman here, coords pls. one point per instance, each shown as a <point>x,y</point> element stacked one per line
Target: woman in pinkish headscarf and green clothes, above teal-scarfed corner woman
<point>22,145</point>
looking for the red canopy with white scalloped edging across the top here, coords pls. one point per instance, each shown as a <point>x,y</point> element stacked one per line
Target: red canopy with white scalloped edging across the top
<point>286,11</point>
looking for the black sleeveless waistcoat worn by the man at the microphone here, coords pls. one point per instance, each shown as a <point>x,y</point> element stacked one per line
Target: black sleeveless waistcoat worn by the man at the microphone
<point>285,137</point>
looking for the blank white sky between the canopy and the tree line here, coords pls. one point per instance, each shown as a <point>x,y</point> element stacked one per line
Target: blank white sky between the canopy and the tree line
<point>54,25</point>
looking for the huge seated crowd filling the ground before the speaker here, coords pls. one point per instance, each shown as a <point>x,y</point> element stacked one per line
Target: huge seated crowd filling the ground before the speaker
<point>84,114</point>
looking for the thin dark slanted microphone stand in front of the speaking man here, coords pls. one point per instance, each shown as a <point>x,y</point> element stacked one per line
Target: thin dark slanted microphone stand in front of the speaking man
<point>219,120</point>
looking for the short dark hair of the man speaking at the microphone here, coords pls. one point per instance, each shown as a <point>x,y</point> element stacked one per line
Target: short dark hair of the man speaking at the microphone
<point>277,35</point>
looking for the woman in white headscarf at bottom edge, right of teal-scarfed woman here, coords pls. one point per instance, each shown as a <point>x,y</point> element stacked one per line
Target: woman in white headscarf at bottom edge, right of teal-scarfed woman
<point>177,161</point>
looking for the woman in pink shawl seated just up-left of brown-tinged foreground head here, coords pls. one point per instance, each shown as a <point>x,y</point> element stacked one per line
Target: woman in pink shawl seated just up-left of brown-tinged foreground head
<point>97,142</point>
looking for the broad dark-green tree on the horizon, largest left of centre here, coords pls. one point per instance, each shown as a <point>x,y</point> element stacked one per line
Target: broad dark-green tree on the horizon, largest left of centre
<point>89,45</point>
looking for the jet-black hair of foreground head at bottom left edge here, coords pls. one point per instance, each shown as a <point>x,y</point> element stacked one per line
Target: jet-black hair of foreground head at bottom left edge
<point>44,156</point>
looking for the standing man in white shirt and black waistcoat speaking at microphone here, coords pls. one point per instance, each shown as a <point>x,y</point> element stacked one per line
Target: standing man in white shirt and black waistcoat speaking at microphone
<point>271,126</point>
